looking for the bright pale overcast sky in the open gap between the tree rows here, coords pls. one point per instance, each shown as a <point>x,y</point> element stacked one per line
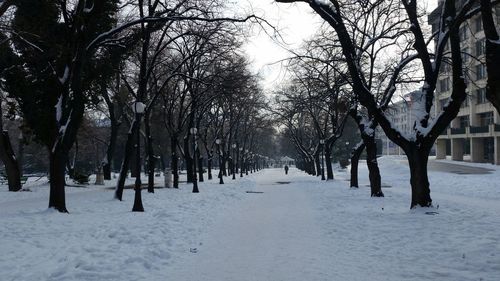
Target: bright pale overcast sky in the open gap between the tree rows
<point>296,23</point>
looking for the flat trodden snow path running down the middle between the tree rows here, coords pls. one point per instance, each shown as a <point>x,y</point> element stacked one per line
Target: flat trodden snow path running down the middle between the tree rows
<point>272,236</point>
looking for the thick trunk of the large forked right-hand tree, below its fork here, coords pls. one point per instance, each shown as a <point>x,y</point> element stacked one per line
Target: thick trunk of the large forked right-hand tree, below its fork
<point>420,192</point>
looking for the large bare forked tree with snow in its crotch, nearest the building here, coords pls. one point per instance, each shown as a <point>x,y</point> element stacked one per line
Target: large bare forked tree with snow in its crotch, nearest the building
<point>426,129</point>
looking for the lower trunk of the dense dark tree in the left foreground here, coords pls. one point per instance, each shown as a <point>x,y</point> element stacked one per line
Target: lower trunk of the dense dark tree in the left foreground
<point>57,166</point>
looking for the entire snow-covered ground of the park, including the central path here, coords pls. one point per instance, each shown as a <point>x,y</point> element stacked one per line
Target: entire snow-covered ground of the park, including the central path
<point>292,227</point>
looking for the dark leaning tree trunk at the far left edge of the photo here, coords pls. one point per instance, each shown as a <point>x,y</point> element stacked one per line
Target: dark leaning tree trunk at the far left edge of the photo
<point>8,158</point>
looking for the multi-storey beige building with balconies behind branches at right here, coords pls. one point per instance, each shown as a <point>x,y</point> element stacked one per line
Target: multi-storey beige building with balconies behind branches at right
<point>475,133</point>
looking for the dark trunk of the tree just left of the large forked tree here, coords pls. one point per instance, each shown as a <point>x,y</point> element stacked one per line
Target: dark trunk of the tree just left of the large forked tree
<point>372,164</point>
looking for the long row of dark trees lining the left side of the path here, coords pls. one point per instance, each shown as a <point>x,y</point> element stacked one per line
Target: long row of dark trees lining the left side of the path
<point>168,71</point>
